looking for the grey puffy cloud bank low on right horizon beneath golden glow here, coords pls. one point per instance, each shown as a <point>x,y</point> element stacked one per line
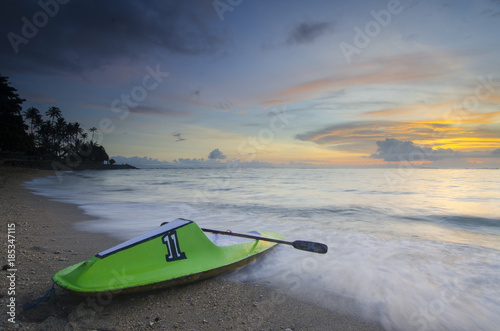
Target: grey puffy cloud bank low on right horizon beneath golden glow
<point>394,150</point>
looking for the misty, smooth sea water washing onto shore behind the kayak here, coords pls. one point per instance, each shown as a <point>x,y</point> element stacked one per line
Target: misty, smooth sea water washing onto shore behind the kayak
<point>415,249</point>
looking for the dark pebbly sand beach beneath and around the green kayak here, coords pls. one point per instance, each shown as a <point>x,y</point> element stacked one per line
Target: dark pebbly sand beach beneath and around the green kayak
<point>46,241</point>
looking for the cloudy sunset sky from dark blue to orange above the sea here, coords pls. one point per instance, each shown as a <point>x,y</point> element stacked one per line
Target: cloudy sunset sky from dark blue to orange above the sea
<point>346,83</point>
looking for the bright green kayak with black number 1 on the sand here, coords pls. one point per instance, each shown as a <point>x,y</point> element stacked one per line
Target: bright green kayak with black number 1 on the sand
<point>175,253</point>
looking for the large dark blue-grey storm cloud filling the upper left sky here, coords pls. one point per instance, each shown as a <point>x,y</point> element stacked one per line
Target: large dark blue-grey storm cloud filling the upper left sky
<point>82,35</point>
